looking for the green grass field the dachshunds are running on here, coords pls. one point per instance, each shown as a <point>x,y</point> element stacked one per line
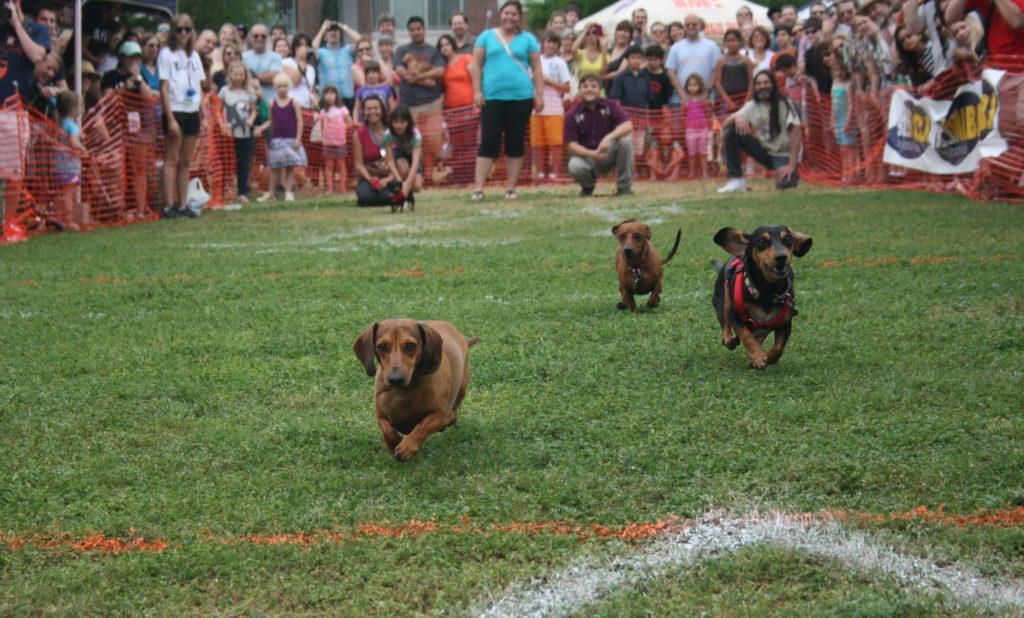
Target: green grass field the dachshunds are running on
<point>194,382</point>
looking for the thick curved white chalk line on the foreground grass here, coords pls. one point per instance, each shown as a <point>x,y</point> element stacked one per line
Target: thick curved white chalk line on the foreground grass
<point>585,583</point>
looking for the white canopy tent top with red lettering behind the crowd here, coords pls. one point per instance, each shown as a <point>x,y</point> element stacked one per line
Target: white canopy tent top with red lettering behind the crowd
<point>719,16</point>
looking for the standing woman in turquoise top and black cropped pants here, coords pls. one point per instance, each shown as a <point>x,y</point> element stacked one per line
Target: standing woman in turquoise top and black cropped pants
<point>506,94</point>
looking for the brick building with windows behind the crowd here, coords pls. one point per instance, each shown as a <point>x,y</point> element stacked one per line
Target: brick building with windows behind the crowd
<point>307,16</point>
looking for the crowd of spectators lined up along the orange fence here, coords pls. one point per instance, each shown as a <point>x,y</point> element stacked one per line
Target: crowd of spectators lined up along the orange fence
<point>848,53</point>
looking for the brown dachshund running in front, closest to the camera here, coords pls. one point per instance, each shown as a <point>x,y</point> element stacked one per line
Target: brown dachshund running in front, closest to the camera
<point>424,368</point>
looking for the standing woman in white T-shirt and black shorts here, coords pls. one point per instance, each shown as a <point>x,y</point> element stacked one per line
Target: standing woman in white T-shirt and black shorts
<point>182,81</point>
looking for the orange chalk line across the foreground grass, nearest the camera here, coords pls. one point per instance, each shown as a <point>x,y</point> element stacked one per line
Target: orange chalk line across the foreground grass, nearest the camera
<point>100,544</point>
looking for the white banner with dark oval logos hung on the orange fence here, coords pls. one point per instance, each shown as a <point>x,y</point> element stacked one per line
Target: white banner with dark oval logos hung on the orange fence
<point>947,137</point>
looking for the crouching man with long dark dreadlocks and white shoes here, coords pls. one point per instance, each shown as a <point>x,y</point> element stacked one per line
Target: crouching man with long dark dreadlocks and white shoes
<point>767,128</point>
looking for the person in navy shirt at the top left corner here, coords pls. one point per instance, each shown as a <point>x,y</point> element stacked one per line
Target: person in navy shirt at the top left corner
<point>22,48</point>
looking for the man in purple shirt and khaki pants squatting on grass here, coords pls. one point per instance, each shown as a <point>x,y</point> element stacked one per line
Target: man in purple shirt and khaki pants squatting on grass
<point>598,135</point>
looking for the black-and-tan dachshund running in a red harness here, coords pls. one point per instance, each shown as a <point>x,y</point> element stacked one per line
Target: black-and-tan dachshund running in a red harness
<point>754,294</point>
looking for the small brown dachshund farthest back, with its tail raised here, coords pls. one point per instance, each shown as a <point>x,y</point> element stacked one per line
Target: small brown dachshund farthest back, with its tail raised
<point>638,264</point>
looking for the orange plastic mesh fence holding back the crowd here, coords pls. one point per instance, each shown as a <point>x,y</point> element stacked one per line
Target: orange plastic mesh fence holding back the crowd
<point>49,185</point>
